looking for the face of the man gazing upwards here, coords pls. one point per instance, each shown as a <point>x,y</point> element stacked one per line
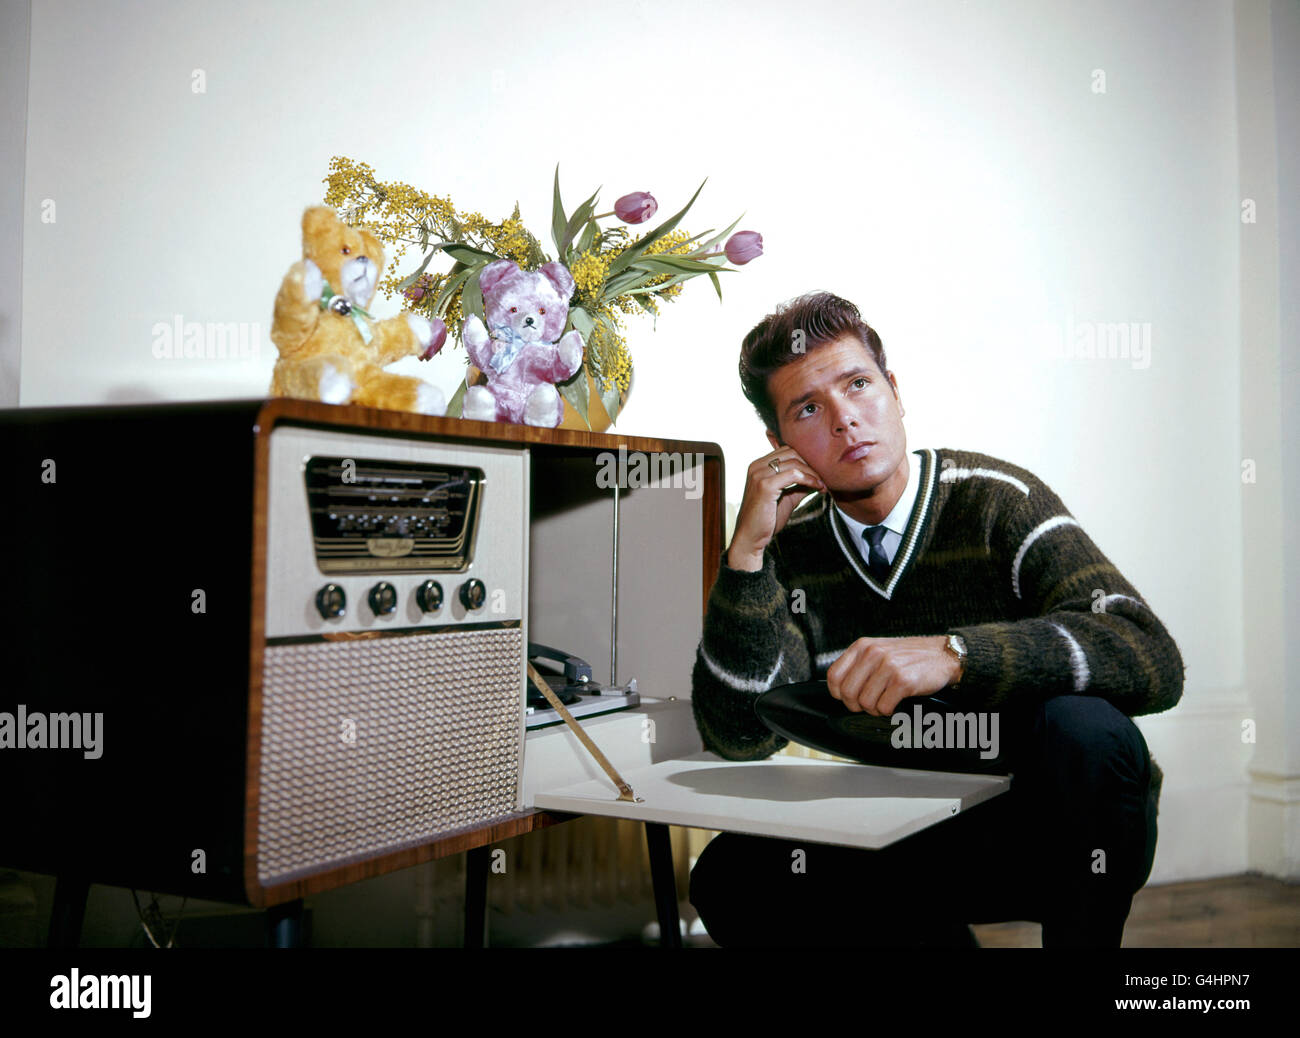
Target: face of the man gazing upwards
<point>844,418</point>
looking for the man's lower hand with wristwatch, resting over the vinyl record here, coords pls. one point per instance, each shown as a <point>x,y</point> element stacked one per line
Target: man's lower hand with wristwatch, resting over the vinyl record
<point>877,674</point>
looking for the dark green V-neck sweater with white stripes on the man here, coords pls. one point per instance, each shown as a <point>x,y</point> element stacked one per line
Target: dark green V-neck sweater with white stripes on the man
<point>990,553</point>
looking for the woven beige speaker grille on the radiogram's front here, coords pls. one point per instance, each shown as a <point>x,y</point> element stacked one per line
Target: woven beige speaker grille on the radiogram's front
<point>378,745</point>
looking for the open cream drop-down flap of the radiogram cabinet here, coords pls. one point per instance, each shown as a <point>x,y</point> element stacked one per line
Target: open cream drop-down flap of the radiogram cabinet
<point>790,798</point>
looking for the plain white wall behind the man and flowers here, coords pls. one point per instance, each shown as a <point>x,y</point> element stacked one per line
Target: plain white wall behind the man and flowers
<point>952,167</point>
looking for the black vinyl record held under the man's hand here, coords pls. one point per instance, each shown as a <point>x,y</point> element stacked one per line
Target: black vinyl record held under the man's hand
<point>954,741</point>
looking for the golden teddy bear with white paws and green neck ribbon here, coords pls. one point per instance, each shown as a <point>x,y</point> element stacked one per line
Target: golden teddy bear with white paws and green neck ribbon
<point>331,349</point>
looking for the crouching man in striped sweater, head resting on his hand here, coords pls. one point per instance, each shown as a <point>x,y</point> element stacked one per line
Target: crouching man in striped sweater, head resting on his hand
<point>907,574</point>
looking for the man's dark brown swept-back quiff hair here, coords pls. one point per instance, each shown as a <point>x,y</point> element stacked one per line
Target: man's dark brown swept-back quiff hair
<point>790,334</point>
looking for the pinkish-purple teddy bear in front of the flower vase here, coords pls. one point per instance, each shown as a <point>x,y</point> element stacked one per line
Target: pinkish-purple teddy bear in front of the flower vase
<point>521,356</point>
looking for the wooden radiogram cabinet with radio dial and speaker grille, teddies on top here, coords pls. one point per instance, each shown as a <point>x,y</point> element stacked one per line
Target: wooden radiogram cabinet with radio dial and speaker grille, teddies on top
<point>258,650</point>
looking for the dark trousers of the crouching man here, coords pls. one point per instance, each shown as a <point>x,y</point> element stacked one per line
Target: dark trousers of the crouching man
<point>1067,846</point>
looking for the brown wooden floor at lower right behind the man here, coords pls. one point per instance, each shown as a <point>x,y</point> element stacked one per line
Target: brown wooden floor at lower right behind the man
<point>1234,912</point>
